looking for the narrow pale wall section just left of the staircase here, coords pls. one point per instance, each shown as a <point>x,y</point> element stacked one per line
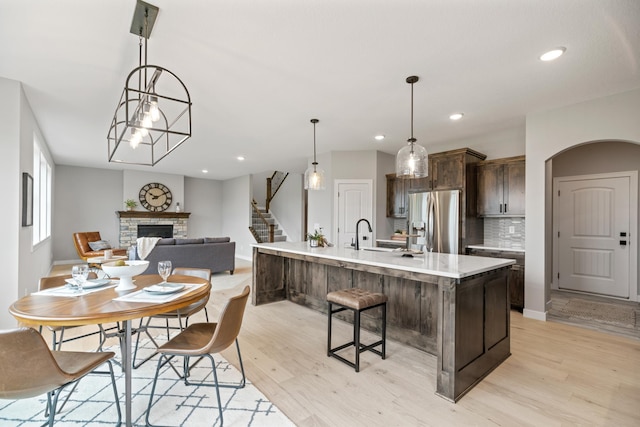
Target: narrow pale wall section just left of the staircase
<point>236,214</point>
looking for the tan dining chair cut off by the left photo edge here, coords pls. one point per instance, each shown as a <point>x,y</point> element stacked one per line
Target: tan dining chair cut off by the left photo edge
<point>28,368</point>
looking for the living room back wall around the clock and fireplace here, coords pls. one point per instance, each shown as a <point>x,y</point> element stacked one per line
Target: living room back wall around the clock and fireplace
<point>86,199</point>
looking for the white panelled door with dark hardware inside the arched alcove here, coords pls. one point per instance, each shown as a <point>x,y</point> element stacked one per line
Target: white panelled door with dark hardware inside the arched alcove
<point>593,232</point>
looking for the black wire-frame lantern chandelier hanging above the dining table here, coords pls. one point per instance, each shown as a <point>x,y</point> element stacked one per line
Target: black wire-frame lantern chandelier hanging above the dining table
<point>153,116</point>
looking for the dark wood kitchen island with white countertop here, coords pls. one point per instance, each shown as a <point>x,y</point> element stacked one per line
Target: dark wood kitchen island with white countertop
<point>455,307</point>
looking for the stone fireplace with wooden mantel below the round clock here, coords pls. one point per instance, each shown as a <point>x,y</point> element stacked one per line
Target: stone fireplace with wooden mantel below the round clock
<point>130,220</point>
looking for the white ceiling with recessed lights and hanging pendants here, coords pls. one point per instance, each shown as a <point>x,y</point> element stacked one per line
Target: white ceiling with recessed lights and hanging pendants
<point>258,71</point>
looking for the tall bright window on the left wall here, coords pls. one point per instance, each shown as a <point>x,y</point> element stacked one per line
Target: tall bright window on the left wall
<point>41,195</point>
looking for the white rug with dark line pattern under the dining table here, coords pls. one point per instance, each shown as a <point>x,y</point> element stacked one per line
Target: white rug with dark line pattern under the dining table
<point>91,404</point>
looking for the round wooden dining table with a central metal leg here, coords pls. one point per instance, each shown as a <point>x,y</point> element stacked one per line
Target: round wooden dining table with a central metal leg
<point>106,305</point>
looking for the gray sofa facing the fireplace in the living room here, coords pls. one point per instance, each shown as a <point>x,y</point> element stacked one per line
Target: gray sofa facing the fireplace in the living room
<point>215,253</point>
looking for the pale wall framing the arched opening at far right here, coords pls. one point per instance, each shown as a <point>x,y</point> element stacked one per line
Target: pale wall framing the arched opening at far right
<point>614,117</point>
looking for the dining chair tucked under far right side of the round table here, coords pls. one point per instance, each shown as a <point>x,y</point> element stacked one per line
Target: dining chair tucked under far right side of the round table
<point>183,313</point>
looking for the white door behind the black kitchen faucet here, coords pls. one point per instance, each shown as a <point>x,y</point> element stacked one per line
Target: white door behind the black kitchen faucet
<point>353,201</point>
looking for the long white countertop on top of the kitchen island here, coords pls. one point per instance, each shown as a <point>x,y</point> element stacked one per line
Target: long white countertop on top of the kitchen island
<point>437,264</point>
